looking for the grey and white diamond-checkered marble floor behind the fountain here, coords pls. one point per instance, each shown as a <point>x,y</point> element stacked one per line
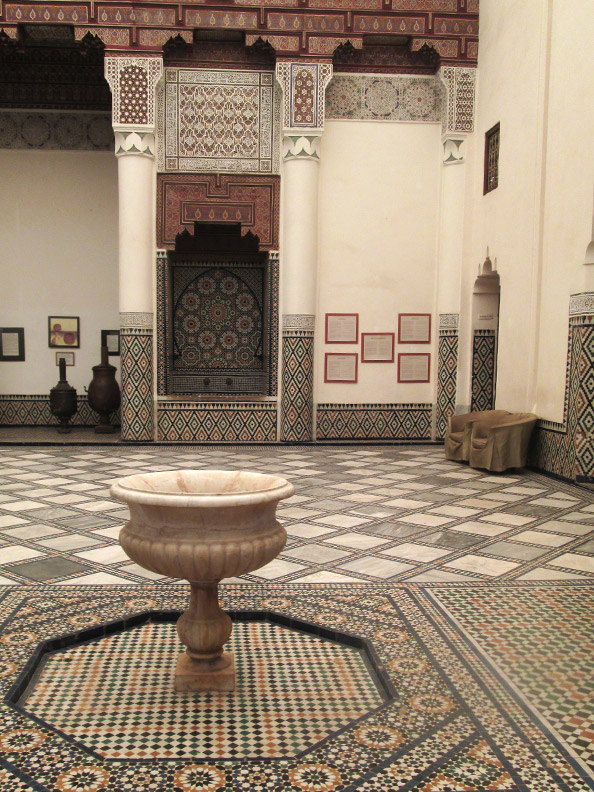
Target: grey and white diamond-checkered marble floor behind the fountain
<point>363,514</point>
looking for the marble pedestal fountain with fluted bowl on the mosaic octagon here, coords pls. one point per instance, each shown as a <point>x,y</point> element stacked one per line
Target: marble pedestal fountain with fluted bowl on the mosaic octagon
<point>202,526</point>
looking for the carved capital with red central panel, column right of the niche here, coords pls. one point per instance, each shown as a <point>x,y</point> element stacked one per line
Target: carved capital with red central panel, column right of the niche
<point>304,87</point>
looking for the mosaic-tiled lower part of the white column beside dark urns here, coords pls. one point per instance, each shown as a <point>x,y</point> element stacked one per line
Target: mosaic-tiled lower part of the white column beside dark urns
<point>137,383</point>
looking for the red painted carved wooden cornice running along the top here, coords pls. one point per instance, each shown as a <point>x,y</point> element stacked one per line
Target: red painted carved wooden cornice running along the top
<point>309,29</point>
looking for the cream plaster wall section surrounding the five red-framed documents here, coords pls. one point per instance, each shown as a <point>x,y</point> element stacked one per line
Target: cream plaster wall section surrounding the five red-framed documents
<point>378,215</point>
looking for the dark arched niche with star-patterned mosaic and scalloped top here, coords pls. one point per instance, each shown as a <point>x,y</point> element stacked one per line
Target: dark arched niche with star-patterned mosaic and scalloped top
<point>217,314</point>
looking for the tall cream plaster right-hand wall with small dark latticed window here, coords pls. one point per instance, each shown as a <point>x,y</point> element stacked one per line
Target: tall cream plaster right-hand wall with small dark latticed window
<point>535,77</point>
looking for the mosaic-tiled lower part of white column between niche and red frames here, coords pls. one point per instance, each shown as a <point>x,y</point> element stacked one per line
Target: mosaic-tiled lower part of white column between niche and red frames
<point>297,386</point>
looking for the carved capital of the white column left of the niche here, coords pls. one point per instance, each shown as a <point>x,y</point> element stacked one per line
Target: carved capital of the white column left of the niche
<point>133,81</point>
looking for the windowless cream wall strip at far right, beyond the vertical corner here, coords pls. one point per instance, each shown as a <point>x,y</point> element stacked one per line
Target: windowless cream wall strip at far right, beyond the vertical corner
<point>568,193</point>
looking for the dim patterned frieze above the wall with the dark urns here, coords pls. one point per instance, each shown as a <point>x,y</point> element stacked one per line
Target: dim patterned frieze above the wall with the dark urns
<point>56,131</point>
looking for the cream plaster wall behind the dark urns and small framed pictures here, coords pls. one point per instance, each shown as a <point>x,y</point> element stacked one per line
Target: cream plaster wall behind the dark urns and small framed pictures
<point>59,256</point>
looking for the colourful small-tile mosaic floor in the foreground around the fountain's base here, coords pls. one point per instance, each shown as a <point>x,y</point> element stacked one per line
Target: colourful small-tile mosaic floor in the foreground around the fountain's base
<point>477,702</point>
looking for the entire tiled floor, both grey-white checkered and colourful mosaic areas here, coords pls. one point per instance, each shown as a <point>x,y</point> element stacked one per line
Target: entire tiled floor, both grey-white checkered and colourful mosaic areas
<point>454,607</point>
